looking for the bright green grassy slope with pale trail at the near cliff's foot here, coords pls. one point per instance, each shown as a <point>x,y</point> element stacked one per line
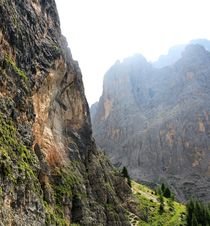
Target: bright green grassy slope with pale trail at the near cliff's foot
<point>149,209</point>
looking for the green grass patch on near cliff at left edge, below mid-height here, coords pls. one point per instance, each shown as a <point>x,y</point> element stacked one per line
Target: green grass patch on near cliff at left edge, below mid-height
<point>15,158</point>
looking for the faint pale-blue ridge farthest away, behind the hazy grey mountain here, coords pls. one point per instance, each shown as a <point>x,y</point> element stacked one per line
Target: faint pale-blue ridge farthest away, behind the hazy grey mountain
<point>175,53</point>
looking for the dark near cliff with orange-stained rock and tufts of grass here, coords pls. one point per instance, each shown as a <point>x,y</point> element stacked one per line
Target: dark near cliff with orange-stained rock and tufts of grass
<point>51,172</point>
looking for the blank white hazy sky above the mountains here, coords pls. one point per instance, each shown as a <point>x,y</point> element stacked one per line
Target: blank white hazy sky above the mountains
<point>101,31</point>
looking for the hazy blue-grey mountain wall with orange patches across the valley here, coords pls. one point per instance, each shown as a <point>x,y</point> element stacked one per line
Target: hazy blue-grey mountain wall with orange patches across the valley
<point>157,121</point>
